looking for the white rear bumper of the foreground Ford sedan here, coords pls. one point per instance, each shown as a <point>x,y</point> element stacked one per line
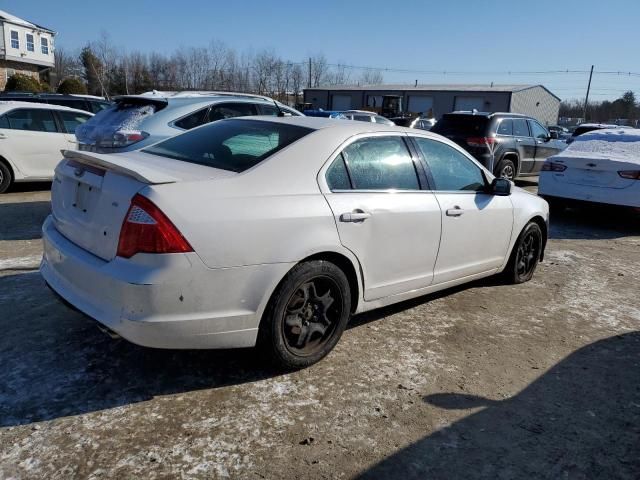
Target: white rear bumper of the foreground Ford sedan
<point>161,301</point>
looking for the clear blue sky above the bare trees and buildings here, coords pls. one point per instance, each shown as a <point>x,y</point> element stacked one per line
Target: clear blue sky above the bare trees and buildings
<point>474,41</point>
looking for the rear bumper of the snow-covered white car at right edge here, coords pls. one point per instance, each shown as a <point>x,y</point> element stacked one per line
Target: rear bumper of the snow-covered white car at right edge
<point>551,185</point>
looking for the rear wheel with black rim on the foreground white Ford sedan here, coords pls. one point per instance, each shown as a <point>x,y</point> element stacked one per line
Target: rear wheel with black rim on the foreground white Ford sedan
<point>306,315</point>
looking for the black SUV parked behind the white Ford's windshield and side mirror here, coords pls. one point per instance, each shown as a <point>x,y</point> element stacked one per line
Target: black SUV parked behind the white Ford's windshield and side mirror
<point>508,144</point>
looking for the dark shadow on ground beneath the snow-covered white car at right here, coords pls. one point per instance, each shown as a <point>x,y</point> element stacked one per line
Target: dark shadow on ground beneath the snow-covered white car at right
<point>586,222</point>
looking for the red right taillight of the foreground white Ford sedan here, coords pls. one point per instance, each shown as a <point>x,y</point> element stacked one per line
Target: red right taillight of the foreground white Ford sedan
<point>147,230</point>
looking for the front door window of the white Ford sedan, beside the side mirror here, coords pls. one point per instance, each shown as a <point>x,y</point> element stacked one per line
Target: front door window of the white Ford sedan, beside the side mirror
<point>450,170</point>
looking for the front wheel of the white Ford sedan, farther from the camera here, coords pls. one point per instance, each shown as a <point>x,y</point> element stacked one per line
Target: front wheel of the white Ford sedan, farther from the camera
<point>525,255</point>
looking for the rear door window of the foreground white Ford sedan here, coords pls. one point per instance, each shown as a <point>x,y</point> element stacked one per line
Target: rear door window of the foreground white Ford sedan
<point>380,163</point>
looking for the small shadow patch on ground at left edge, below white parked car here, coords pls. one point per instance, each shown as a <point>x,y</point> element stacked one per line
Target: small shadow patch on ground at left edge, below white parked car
<point>23,221</point>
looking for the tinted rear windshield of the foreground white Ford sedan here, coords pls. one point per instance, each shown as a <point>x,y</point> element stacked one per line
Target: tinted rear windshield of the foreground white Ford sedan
<point>235,145</point>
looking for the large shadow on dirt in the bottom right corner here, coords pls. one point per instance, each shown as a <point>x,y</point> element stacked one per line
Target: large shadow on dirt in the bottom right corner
<point>580,419</point>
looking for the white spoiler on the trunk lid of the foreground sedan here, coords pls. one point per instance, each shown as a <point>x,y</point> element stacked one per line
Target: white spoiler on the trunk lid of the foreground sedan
<point>113,162</point>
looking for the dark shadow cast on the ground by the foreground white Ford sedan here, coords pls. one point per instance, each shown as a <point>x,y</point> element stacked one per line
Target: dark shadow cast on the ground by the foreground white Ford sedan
<point>57,363</point>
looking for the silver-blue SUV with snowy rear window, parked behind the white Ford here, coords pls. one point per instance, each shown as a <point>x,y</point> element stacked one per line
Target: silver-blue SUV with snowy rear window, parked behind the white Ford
<point>136,121</point>
